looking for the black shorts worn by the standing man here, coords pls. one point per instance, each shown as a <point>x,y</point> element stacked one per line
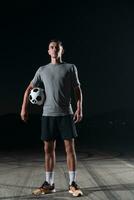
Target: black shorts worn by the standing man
<point>53,127</point>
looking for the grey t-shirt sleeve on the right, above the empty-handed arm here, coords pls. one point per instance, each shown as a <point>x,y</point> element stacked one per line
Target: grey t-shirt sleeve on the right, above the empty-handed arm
<point>75,78</point>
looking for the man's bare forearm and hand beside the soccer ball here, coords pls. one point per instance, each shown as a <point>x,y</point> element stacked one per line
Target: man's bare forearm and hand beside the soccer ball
<point>24,108</point>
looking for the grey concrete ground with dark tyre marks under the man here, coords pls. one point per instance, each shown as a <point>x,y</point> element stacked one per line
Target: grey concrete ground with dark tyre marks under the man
<point>102,174</point>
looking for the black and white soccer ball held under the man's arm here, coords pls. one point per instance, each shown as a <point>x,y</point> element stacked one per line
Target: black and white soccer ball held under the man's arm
<point>37,96</point>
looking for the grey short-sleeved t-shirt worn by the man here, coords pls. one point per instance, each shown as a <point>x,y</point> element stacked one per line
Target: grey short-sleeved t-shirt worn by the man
<point>58,81</point>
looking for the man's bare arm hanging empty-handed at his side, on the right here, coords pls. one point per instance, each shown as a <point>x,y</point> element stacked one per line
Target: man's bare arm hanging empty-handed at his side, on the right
<point>79,98</point>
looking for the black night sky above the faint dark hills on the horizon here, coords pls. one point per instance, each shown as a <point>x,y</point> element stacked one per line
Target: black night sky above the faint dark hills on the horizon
<point>97,36</point>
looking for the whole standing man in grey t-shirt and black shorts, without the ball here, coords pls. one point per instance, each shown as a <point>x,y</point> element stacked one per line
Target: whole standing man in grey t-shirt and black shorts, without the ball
<point>58,79</point>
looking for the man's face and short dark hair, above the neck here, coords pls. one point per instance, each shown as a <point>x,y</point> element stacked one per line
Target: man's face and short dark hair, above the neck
<point>55,50</point>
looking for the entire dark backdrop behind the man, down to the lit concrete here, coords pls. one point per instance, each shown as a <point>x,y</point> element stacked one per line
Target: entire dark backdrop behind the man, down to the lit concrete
<point>98,39</point>
